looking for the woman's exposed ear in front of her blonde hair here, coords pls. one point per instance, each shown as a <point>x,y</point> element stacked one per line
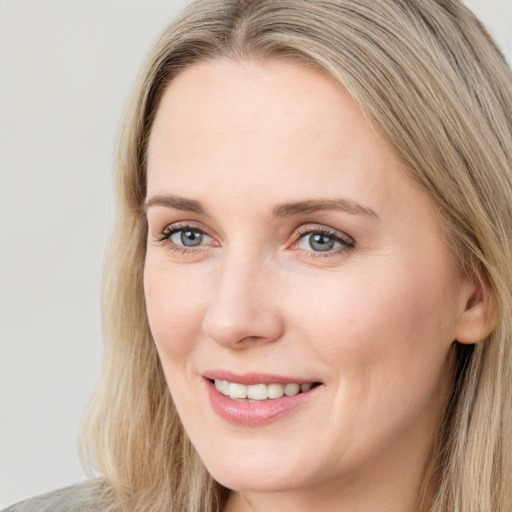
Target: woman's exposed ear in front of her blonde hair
<point>477,320</point>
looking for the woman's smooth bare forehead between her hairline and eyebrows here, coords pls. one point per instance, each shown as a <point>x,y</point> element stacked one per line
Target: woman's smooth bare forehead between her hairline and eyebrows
<point>274,126</point>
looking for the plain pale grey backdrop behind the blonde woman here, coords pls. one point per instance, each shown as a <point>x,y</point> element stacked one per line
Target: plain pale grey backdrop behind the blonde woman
<point>66,70</point>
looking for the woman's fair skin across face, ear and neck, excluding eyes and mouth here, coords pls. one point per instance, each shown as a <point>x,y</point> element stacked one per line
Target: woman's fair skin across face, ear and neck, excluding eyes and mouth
<point>374,320</point>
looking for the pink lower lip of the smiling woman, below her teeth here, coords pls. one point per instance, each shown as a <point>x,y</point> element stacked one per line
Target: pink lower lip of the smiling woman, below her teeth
<point>255,414</point>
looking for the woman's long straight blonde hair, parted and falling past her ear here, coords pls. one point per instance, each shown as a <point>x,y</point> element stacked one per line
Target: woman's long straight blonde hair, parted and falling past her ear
<point>429,76</point>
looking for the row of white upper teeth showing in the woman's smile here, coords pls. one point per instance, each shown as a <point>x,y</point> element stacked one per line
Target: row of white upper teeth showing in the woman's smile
<point>237,391</point>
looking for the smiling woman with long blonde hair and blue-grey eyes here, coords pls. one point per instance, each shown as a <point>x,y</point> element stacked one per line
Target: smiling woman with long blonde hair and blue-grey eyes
<point>342,341</point>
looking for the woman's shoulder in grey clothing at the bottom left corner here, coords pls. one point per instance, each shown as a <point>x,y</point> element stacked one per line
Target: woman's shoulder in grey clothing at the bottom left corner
<point>82,497</point>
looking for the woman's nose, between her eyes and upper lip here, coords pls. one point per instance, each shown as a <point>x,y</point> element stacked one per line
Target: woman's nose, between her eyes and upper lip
<point>240,312</point>
